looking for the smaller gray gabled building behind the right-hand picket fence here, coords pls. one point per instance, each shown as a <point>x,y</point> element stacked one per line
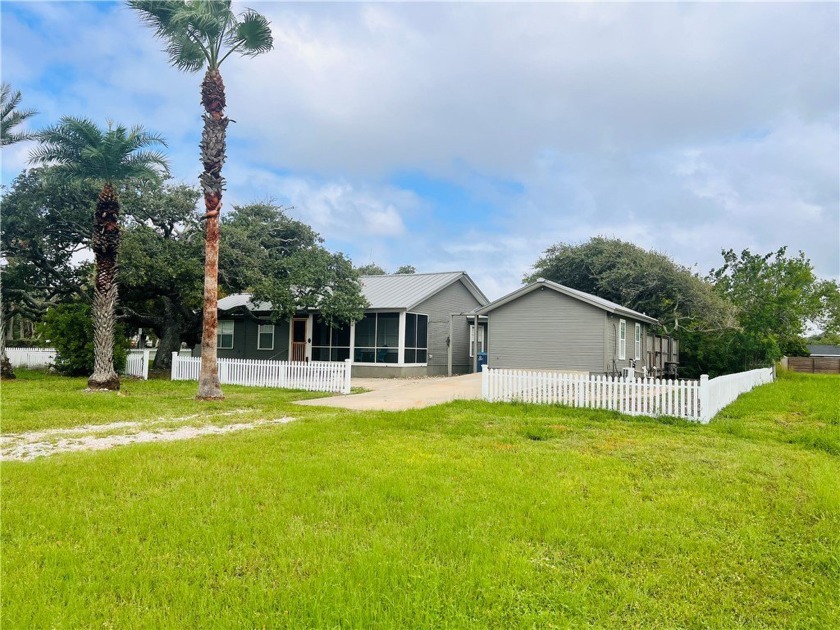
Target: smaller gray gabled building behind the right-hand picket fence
<point>548,326</point>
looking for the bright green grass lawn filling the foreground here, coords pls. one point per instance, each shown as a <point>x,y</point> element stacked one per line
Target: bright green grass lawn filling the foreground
<point>463,515</point>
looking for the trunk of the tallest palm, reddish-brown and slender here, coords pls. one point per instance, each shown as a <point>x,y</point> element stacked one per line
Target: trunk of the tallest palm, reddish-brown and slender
<point>213,158</point>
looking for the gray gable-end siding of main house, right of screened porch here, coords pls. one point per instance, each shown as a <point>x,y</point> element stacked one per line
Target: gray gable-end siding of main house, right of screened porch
<point>453,299</point>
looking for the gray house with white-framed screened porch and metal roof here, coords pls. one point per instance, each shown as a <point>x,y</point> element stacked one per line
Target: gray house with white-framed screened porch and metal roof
<point>415,325</point>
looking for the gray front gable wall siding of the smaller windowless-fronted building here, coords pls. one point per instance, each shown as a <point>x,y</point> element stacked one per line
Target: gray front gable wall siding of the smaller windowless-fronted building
<point>547,330</point>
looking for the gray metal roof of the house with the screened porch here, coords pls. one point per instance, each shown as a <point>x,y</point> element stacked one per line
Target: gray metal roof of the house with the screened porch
<point>393,291</point>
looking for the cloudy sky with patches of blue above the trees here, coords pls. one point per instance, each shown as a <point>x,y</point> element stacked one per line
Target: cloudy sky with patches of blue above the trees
<point>473,135</point>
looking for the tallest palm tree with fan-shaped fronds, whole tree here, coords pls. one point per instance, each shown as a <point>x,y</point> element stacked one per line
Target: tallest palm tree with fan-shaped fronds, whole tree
<point>199,34</point>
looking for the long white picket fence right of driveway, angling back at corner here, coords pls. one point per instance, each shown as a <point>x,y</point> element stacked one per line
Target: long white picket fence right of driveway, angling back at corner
<point>693,400</point>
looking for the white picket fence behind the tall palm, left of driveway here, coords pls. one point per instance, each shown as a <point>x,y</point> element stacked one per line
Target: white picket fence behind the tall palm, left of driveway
<point>314,376</point>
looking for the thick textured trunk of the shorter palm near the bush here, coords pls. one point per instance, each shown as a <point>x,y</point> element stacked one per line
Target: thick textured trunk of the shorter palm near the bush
<point>106,243</point>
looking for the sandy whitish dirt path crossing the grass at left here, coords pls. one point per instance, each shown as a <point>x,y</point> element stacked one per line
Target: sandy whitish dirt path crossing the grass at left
<point>32,445</point>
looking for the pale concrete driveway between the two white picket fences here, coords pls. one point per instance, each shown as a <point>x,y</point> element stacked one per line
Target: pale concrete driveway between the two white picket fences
<point>397,394</point>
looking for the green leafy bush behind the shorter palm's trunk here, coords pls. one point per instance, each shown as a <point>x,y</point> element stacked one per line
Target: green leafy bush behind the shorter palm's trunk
<point>69,328</point>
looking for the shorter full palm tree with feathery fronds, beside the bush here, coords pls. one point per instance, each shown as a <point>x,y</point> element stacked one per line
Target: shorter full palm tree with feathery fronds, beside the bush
<point>82,150</point>
